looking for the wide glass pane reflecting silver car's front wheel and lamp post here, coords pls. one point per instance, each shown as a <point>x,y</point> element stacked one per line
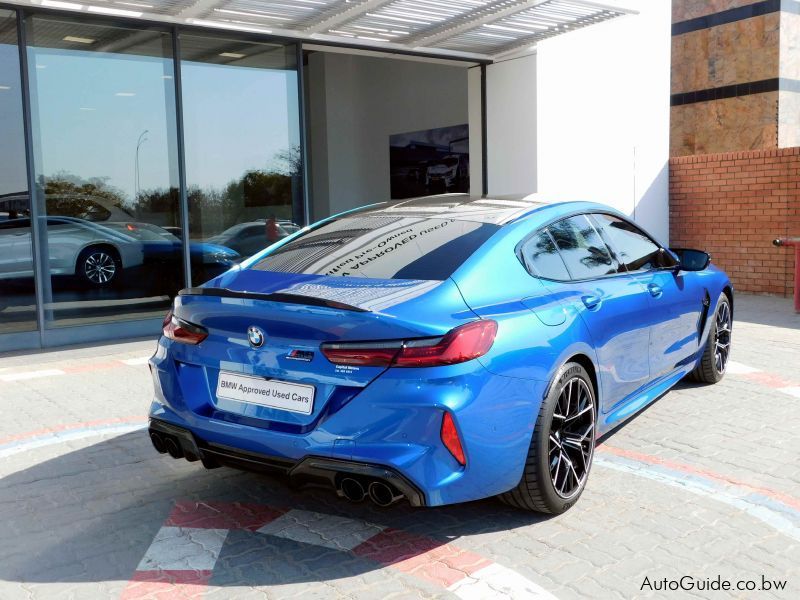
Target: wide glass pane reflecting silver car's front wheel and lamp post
<point>106,169</point>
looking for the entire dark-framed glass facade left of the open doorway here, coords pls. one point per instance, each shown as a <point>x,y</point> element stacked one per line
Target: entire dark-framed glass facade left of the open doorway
<point>101,238</point>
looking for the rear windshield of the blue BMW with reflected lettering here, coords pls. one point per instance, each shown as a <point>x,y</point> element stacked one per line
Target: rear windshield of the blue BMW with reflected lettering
<point>381,247</point>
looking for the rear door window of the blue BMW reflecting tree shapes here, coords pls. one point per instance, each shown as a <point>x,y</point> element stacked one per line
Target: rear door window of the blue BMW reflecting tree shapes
<point>582,248</point>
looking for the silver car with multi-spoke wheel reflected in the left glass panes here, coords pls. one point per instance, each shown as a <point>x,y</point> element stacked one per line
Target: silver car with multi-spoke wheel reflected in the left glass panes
<point>95,254</point>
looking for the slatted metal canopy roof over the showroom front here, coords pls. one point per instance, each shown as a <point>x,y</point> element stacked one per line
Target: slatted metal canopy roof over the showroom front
<point>477,29</point>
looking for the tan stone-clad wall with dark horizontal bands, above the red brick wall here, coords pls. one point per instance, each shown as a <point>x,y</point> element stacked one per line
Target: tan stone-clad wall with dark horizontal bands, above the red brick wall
<point>725,70</point>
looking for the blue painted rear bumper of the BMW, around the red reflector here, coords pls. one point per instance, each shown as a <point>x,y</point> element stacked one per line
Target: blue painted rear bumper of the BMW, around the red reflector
<point>392,424</point>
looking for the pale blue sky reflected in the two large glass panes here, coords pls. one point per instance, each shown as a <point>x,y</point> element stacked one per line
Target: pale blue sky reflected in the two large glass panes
<point>94,106</point>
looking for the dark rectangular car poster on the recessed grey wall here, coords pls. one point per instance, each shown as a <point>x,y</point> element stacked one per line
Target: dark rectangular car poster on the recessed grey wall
<point>431,161</point>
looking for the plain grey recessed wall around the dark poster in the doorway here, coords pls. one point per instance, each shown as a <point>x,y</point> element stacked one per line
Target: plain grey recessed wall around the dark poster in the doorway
<point>355,104</point>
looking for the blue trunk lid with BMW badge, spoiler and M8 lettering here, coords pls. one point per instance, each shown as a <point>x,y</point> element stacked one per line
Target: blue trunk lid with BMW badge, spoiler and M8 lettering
<point>296,313</point>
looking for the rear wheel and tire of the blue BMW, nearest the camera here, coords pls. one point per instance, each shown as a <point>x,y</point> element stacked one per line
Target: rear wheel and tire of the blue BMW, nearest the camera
<point>544,486</point>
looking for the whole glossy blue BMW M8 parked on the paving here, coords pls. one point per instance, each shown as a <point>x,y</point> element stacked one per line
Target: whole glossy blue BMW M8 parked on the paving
<point>437,350</point>
